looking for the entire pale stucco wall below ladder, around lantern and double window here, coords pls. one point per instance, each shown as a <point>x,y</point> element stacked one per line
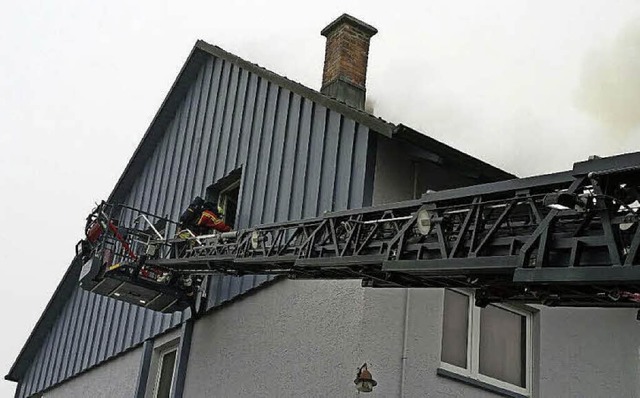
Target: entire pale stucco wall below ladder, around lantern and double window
<point>306,338</point>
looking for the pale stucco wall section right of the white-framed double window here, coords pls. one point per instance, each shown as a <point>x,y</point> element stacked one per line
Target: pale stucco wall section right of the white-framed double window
<point>589,353</point>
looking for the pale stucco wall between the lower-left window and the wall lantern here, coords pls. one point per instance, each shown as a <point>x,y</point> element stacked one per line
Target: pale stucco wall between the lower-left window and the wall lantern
<point>293,338</point>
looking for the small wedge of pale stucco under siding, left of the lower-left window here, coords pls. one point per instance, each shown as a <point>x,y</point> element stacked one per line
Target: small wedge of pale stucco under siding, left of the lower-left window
<point>116,378</point>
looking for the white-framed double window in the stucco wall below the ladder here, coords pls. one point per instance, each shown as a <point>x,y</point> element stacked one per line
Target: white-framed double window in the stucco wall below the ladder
<point>491,345</point>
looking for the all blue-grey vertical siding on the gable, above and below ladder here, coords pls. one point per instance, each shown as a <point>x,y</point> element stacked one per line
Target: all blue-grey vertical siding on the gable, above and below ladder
<point>299,159</point>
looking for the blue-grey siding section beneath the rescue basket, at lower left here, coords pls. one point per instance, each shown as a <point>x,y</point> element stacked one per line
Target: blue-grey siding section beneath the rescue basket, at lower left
<point>90,330</point>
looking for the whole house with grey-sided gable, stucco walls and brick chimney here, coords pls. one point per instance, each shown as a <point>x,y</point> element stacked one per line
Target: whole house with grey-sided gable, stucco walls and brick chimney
<point>275,150</point>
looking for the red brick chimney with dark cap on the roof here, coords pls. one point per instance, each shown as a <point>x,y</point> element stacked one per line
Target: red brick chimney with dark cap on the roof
<point>345,60</point>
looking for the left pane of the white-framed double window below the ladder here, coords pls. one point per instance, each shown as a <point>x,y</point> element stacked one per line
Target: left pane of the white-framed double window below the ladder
<point>455,328</point>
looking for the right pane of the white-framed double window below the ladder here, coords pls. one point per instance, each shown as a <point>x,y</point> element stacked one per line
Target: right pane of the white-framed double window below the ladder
<point>503,345</point>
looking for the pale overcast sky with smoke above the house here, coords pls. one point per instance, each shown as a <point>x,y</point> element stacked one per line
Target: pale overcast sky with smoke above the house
<point>530,86</point>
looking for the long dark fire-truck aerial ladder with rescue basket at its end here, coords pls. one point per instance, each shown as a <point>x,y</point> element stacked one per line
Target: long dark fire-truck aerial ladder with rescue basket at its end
<point>564,239</point>
